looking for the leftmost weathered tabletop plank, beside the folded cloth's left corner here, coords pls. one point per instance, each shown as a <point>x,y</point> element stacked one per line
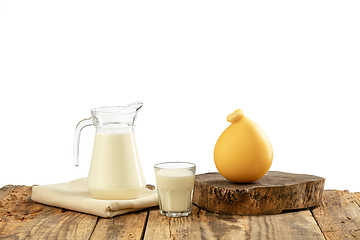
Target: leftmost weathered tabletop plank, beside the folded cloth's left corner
<point>21,218</point>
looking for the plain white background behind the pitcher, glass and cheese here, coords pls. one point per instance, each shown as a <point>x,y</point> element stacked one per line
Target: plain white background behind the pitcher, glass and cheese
<point>293,67</point>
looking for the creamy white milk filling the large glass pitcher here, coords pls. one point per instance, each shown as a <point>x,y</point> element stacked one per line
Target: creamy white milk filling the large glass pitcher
<point>115,171</point>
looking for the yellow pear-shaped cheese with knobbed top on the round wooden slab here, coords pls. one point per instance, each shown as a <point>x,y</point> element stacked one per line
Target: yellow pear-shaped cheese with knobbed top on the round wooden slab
<point>243,153</point>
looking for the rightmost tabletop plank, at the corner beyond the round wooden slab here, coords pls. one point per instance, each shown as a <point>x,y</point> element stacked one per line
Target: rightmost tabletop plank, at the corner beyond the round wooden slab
<point>338,215</point>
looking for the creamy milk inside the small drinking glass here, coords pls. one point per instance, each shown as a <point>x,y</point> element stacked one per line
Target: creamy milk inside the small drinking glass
<point>175,187</point>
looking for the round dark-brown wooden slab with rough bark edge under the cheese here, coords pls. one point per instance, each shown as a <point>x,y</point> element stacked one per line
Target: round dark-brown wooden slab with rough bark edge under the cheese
<point>273,193</point>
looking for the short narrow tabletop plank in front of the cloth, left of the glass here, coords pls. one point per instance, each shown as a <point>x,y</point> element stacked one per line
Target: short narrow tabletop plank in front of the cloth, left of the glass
<point>128,226</point>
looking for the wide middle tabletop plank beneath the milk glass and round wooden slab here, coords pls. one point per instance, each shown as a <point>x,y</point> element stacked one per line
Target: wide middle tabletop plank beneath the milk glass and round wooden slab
<point>202,224</point>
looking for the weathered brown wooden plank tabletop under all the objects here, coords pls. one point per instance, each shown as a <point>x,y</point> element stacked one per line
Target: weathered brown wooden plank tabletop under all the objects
<point>337,217</point>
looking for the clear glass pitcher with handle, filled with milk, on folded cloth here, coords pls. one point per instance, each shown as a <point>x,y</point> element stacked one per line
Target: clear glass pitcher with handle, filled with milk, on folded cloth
<point>115,170</point>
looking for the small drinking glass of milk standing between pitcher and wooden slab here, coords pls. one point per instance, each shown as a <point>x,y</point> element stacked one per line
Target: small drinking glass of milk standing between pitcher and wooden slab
<point>175,184</point>
